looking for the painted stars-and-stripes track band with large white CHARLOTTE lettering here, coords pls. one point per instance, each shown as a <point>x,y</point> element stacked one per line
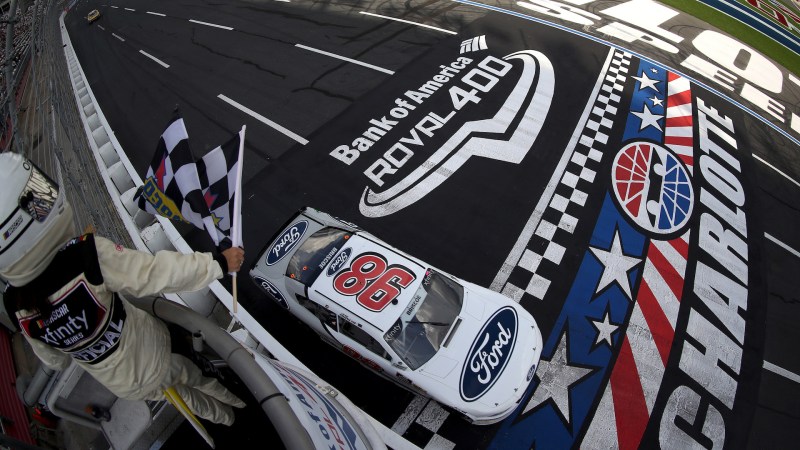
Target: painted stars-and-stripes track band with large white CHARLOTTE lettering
<point>660,298</point>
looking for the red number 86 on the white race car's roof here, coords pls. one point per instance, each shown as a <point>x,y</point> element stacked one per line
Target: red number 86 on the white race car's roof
<point>373,281</point>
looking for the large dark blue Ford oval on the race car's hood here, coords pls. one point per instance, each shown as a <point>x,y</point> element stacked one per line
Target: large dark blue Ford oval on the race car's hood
<point>489,354</point>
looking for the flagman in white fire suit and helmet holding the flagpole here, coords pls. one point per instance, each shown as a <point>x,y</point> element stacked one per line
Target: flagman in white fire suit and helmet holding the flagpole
<point>67,293</point>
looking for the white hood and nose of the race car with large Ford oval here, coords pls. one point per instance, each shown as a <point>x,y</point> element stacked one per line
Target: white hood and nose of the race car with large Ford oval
<point>490,357</point>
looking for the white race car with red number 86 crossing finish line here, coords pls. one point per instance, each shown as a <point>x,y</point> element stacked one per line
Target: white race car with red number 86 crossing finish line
<point>465,346</point>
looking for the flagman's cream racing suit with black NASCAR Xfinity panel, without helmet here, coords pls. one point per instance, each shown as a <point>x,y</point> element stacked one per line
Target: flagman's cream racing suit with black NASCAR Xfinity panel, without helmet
<point>123,347</point>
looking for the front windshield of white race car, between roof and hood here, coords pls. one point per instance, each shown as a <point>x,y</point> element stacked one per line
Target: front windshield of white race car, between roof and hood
<point>418,333</point>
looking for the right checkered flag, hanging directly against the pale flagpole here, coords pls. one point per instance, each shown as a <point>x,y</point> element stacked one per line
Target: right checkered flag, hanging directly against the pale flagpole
<point>218,178</point>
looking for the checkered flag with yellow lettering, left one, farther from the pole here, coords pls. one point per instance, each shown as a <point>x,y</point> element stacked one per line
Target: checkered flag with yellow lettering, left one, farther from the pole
<point>172,186</point>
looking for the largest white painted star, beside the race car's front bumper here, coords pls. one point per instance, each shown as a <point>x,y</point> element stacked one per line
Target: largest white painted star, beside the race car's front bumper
<point>556,378</point>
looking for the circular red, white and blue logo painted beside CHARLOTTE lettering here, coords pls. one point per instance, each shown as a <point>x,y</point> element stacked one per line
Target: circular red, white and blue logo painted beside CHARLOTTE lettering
<point>653,187</point>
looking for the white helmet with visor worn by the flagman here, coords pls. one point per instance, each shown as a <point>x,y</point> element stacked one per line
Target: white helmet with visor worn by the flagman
<point>35,219</point>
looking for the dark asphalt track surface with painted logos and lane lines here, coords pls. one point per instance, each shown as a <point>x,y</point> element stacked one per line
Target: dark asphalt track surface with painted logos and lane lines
<point>674,325</point>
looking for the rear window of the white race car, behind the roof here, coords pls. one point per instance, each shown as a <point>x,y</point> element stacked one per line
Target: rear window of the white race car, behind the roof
<point>315,253</point>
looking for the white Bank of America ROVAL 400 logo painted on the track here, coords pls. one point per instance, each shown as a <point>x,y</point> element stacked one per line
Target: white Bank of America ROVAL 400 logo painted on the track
<point>507,136</point>
